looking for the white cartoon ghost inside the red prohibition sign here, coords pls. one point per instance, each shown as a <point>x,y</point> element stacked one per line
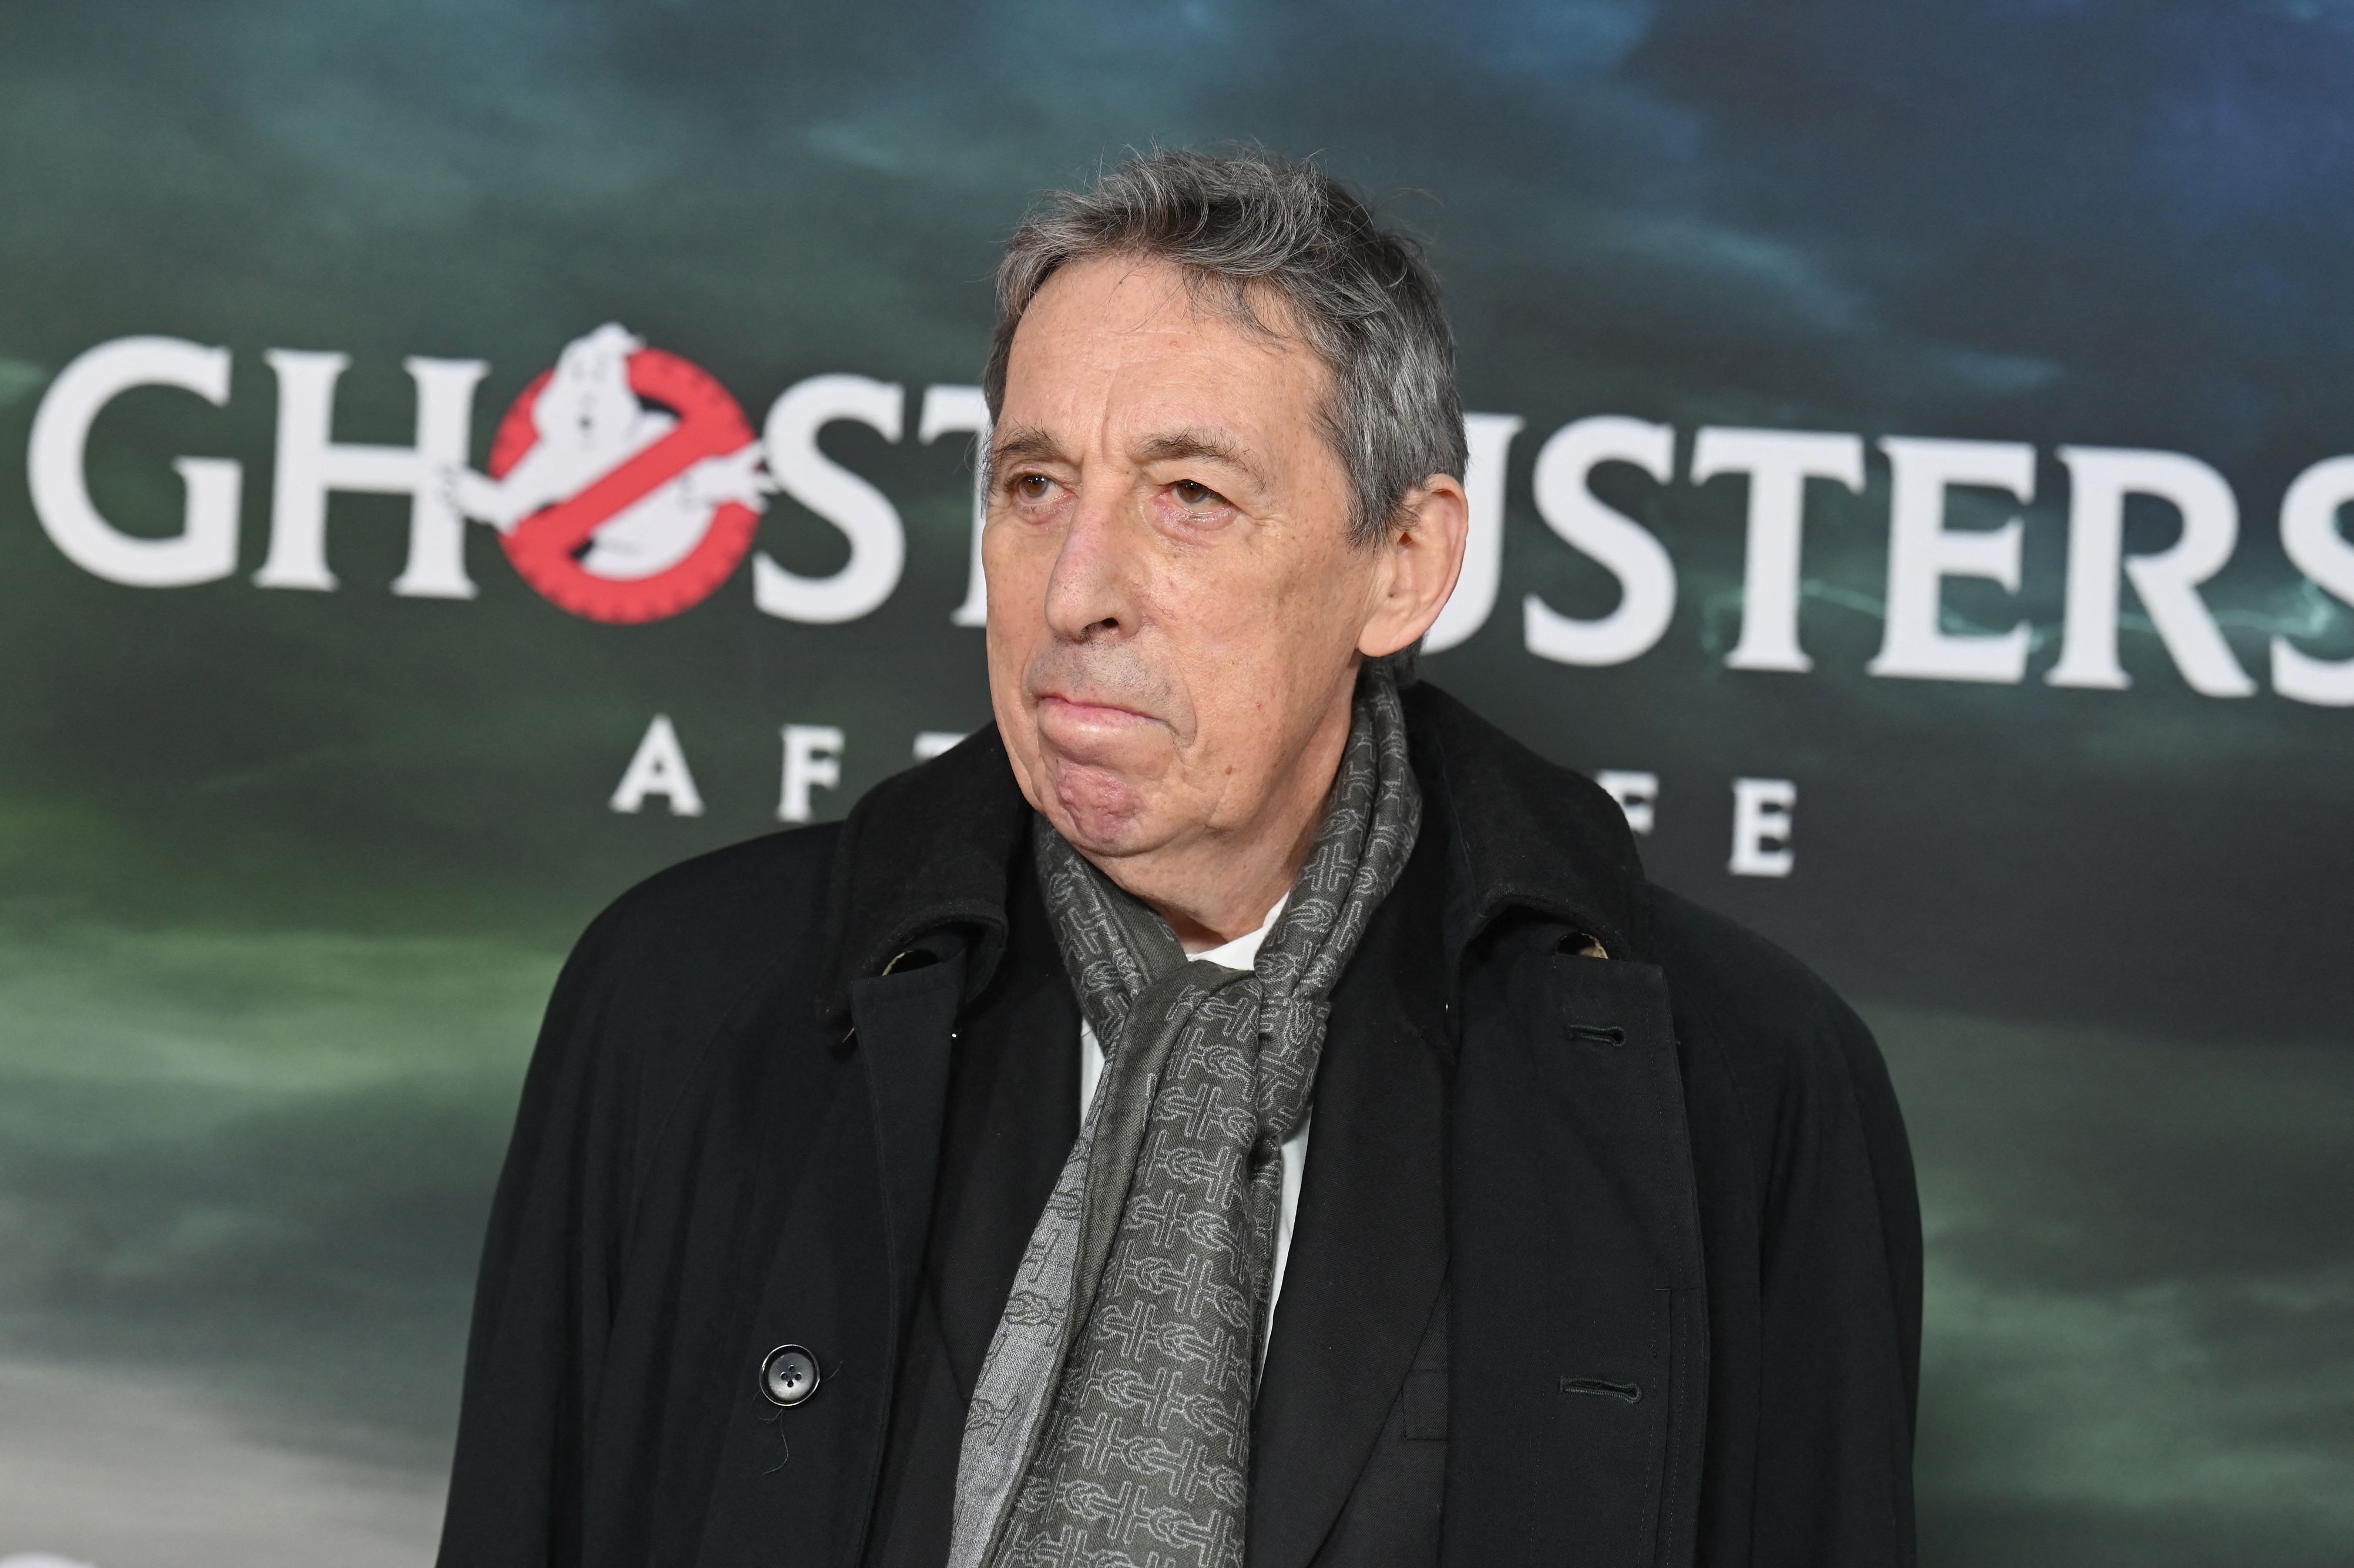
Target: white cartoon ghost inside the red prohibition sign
<point>590,425</point>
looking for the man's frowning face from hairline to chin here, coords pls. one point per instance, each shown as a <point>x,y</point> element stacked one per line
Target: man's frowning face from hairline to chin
<point>1173,599</point>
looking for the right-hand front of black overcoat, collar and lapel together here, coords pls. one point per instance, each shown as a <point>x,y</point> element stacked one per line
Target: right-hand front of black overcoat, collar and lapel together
<point>1581,1353</point>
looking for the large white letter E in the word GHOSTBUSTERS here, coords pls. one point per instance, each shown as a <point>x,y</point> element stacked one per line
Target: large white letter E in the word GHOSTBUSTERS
<point>1924,552</point>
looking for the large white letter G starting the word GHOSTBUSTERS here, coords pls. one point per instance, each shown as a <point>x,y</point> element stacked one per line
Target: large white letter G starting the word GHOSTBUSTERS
<point>206,545</point>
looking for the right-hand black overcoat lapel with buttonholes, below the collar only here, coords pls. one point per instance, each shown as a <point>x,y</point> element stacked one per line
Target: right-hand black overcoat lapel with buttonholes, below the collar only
<point>1581,1353</point>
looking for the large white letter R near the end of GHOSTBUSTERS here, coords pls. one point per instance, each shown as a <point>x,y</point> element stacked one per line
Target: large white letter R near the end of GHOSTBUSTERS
<point>2101,479</point>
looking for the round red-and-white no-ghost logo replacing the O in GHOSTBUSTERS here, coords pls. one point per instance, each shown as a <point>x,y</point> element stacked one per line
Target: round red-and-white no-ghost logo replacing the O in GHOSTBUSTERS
<point>625,481</point>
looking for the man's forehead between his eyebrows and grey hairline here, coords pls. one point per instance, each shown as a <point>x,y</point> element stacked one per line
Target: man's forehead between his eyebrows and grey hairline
<point>1124,347</point>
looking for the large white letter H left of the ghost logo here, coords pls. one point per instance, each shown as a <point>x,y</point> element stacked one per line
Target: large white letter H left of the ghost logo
<point>312,465</point>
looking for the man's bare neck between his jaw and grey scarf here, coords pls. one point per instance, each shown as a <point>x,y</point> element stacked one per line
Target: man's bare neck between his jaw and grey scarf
<point>1221,884</point>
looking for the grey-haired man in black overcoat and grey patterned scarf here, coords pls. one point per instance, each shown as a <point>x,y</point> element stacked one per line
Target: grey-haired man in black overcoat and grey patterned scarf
<point>1242,1108</point>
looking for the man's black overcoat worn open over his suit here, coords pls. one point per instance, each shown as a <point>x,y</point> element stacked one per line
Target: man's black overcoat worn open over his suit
<point>1680,1261</point>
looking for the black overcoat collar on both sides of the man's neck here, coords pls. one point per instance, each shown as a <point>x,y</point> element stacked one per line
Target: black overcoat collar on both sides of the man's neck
<point>929,851</point>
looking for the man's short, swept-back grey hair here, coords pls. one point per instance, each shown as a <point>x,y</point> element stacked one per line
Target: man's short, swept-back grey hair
<point>1364,298</point>
